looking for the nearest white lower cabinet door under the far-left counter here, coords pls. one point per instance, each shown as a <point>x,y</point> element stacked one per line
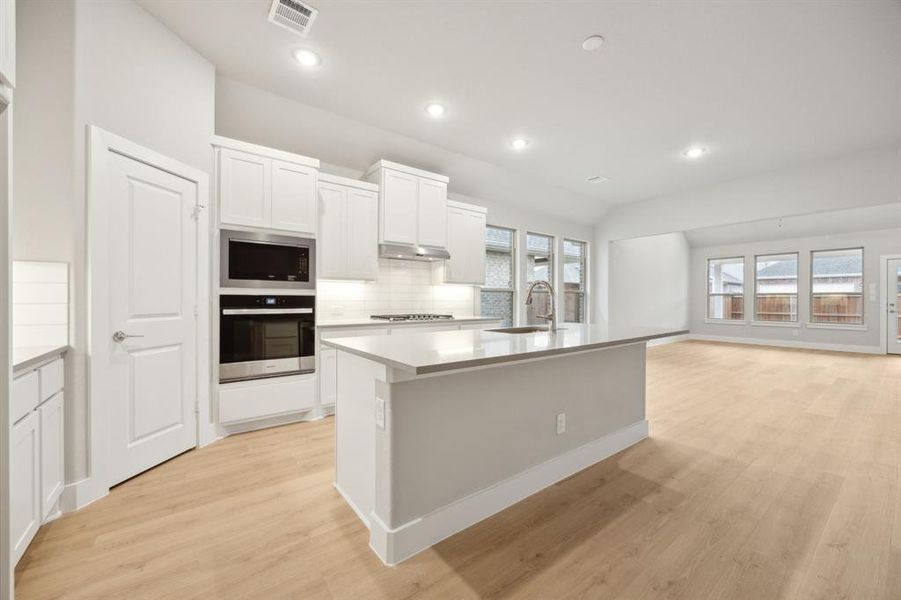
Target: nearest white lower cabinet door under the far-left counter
<point>24,484</point>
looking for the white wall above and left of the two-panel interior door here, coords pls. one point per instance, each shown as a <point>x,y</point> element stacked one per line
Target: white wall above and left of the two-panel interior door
<point>133,77</point>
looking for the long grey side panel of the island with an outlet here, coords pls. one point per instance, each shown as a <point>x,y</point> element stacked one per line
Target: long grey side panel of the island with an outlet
<point>456,434</point>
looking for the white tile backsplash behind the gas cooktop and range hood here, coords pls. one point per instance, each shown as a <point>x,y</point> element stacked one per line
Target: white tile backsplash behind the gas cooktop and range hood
<point>402,286</point>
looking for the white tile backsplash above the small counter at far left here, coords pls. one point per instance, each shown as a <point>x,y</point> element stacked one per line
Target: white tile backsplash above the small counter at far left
<point>40,303</point>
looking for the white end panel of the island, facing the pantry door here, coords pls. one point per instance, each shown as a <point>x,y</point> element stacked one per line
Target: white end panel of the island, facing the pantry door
<point>355,453</point>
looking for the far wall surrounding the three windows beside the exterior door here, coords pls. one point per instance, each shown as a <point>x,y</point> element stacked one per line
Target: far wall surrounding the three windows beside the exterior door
<point>874,243</point>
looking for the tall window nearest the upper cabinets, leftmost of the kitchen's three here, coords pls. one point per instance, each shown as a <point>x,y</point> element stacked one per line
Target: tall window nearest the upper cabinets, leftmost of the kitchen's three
<point>498,293</point>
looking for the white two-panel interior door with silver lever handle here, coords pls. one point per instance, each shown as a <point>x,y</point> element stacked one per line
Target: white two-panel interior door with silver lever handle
<point>150,376</point>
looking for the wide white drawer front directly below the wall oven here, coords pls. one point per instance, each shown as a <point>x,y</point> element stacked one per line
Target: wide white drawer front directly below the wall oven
<point>261,398</point>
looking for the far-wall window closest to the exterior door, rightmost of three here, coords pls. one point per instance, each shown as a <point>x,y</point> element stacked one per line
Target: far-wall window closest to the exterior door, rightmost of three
<point>836,286</point>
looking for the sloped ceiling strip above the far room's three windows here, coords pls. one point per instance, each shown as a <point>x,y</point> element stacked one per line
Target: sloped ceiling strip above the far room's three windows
<point>868,218</point>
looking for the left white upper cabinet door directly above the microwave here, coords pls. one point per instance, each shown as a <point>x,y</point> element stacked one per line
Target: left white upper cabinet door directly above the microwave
<point>244,188</point>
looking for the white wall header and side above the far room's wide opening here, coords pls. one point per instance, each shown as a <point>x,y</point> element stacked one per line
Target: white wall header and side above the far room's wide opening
<point>865,179</point>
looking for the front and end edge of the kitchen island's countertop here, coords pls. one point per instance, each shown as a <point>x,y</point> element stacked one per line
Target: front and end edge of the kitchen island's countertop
<point>495,360</point>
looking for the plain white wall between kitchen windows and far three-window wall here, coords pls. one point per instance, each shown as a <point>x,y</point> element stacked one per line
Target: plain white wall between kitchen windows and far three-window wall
<point>649,278</point>
